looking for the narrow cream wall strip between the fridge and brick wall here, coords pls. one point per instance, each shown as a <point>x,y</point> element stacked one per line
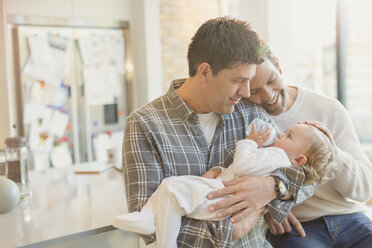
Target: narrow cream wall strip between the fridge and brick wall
<point>147,62</point>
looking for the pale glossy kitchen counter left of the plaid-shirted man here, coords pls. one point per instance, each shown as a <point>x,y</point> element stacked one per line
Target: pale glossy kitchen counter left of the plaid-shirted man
<point>66,206</point>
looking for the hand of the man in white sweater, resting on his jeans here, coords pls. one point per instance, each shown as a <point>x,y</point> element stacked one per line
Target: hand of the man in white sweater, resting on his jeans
<point>285,226</point>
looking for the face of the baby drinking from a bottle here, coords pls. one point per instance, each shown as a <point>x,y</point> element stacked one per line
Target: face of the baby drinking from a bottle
<point>296,140</point>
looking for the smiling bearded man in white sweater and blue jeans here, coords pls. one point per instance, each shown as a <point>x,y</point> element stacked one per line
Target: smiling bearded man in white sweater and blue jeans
<point>333,216</point>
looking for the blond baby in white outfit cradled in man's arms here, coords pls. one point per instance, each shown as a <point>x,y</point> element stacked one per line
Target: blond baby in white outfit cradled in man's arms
<point>302,145</point>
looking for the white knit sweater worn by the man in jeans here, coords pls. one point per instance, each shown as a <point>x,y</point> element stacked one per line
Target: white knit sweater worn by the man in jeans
<point>352,184</point>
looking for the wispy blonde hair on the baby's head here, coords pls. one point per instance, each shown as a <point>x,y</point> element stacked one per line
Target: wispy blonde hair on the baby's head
<point>320,158</point>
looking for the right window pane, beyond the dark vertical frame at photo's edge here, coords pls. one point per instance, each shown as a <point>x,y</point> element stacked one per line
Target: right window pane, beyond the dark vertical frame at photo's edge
<point>359,68</point>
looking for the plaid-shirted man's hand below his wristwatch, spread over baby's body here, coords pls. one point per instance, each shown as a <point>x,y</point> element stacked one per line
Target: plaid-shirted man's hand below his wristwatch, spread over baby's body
<point>246,196</point>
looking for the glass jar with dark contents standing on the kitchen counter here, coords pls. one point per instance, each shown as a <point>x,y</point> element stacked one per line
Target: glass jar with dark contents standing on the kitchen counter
<point>18,162</point>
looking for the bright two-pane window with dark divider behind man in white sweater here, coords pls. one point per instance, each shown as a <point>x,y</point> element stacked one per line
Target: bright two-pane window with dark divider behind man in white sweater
<point>314,35</point>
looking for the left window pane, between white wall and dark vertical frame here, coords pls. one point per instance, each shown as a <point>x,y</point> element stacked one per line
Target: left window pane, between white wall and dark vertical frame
<point>314,39</point>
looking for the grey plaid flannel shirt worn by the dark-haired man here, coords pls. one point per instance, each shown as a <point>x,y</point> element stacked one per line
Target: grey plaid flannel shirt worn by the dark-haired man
<point>164,138</point>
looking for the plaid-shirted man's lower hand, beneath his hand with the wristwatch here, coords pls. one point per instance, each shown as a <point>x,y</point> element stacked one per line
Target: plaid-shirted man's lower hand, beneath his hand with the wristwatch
<point>244,226</point>
